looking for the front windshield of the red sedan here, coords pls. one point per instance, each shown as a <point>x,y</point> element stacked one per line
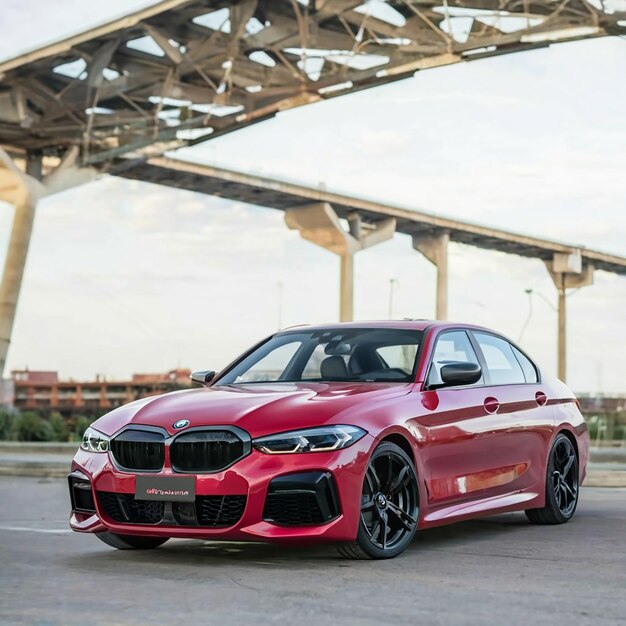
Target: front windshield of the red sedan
<point>331,355</point>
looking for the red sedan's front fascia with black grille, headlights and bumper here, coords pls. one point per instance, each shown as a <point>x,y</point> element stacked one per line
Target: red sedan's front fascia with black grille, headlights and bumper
<point>216,482</point>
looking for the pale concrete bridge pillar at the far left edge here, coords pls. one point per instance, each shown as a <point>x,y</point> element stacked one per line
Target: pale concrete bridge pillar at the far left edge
<point>22,191</point>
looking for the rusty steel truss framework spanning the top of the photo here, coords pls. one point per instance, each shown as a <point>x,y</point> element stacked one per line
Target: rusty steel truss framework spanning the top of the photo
<point>266,56</point>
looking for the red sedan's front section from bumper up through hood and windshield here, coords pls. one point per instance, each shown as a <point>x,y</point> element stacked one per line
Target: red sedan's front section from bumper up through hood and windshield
<point>275,449</point>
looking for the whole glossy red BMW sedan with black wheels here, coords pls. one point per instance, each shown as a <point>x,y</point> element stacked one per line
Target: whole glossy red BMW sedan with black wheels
<point>358,434</point>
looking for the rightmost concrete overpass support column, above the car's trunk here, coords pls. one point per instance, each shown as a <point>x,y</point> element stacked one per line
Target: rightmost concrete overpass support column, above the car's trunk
<point>567,272</point>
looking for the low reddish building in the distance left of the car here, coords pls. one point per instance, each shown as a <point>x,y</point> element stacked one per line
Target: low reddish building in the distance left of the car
<point>44,392</point>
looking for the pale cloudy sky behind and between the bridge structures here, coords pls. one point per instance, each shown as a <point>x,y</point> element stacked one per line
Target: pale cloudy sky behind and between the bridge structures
<point>129,277</point>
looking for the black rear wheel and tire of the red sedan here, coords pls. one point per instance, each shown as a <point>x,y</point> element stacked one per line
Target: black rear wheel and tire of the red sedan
<point>561,485</point>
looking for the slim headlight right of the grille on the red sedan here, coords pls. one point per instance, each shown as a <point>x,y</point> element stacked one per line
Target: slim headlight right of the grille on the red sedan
<point>323,439</point>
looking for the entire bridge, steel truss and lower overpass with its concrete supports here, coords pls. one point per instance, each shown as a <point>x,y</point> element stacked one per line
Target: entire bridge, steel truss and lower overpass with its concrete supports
<point>116,97</point>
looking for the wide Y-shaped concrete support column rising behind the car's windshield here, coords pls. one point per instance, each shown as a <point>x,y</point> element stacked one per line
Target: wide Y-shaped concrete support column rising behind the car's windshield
<point>319,224</point>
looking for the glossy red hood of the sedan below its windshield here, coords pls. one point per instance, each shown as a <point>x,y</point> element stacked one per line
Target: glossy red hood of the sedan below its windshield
<point>259,409</point>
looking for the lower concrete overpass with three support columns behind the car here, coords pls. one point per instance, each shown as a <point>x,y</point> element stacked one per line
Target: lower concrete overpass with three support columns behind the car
<point>316,214</point>
